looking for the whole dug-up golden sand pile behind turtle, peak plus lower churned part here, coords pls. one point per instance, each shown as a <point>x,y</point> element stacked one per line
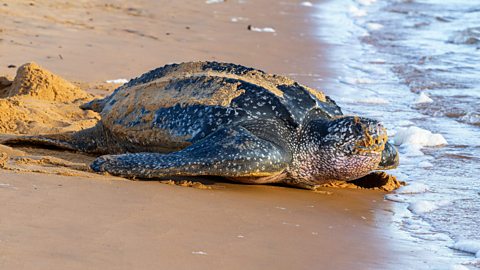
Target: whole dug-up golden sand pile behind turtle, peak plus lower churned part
<point>37,101</point>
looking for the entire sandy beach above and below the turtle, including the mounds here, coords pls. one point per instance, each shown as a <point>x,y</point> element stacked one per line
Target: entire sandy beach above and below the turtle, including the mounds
<point>56,215</point>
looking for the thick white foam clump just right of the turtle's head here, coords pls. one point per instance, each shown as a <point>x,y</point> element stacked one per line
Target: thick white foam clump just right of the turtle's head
<point>418,137</point>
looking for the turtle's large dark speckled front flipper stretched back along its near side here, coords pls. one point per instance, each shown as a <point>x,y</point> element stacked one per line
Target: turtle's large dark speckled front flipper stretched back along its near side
<point>234,153</point>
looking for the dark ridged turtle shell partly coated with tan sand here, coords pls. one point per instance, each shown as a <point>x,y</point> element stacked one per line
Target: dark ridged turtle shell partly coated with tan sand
<point>176,105</point>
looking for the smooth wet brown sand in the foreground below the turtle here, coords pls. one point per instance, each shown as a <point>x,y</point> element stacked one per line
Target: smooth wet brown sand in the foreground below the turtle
<point>58,222</point>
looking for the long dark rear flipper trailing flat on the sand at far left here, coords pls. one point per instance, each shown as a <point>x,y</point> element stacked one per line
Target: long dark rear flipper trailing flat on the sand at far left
<point>87,140</point>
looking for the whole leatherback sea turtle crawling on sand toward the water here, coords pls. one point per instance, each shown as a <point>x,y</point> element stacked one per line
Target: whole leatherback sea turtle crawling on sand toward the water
<point>221,119</point>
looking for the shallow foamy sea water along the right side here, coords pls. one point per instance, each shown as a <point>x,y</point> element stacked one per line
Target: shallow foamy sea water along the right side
<point>415,65</point>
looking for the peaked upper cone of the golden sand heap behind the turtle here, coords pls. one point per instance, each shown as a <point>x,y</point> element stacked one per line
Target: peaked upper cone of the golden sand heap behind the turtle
<point>34,81</point>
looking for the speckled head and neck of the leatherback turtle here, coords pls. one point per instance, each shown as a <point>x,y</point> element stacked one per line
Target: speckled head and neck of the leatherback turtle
<point>342,149</point>
